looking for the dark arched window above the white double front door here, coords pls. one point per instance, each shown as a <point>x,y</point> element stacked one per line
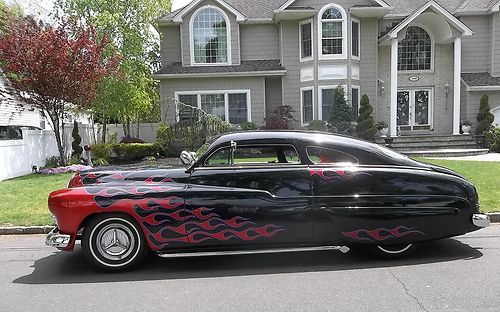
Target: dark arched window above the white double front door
<point>415,50</point>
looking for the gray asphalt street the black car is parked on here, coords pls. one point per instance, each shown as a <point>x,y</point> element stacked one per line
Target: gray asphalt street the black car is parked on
<point>459,274</point>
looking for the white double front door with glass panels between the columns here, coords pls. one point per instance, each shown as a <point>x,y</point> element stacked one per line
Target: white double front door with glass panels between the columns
<point>414,110</point>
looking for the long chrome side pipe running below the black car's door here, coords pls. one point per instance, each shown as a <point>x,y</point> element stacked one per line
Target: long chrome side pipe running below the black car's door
<point>342,249</point>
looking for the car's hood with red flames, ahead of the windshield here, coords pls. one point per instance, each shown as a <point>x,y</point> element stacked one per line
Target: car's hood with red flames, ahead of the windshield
<point>120,176</point>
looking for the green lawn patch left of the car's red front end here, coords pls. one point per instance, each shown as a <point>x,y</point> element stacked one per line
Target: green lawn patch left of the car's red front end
<point>23,201</point>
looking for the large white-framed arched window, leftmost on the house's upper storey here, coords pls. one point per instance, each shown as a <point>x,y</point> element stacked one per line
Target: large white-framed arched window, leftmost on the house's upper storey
<point>210,35</point>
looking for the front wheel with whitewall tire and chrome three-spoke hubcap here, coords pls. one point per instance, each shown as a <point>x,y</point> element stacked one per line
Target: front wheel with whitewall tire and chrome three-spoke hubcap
<point>113,242</point>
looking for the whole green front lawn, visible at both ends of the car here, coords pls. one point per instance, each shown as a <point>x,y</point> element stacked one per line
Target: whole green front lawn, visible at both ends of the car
<point>23,201</point>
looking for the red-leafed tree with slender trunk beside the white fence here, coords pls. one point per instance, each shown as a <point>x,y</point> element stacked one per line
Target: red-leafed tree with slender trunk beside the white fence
<point>55,66</point>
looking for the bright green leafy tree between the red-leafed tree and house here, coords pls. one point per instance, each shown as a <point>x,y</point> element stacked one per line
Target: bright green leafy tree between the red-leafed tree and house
<point>133,97</point>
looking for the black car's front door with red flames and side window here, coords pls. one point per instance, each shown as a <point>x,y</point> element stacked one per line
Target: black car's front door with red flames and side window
<point>254,196</point>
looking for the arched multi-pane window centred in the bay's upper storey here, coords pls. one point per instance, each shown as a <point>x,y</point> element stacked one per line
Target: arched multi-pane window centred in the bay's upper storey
<point>333,31</point>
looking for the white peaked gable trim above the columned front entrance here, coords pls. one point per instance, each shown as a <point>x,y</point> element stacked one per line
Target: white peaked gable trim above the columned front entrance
<point>466,31</point>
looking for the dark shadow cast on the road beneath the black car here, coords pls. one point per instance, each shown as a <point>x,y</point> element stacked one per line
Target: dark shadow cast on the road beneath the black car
<point>70,268</point>
